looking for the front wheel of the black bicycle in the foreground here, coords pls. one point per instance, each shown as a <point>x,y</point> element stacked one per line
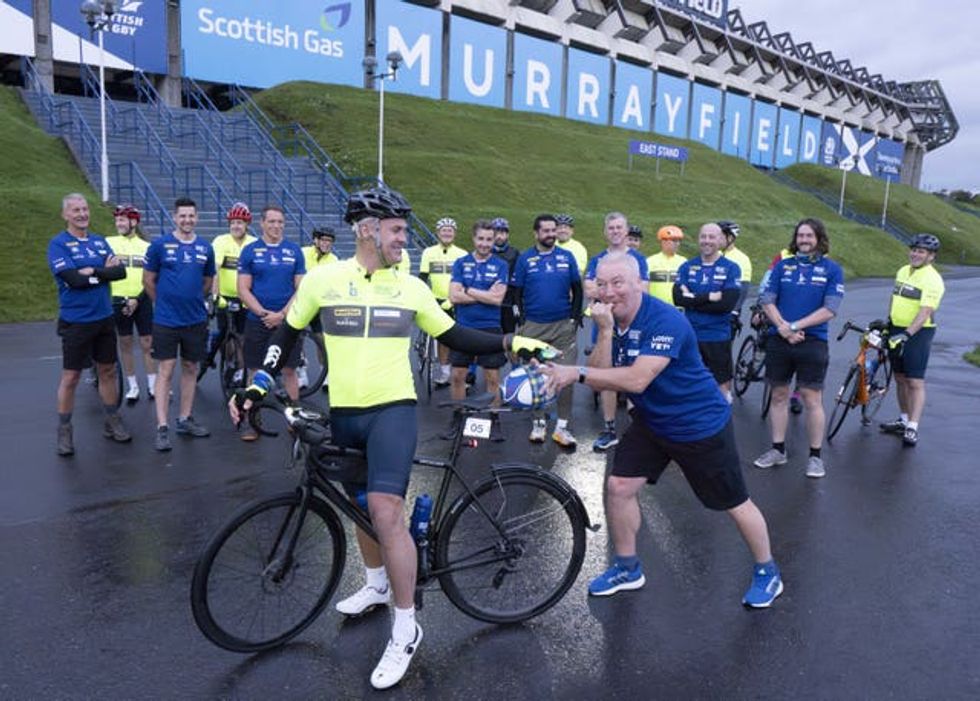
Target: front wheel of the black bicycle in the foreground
<point>268,573</point>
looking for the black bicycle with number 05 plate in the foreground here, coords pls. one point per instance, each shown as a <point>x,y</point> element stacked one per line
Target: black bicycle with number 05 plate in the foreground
<point>503,550</point>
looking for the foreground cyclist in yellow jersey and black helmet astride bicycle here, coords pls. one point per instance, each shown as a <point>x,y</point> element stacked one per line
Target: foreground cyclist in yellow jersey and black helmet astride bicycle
<point>368,310</point>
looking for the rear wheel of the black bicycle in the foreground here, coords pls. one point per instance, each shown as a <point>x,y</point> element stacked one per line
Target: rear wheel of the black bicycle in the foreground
<point>512,551</point>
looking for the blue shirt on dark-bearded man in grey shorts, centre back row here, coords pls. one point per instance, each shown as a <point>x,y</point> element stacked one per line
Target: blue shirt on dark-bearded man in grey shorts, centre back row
<point>546,279</point>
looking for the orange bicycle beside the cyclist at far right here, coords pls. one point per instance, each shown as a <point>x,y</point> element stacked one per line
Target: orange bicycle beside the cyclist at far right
<point>868,378</point>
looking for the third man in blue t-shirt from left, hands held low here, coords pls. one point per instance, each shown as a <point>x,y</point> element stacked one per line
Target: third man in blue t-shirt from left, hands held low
<point>269,271</point>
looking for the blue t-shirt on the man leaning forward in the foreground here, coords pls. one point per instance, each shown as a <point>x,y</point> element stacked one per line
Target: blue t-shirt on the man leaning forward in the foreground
<point>683,403</point>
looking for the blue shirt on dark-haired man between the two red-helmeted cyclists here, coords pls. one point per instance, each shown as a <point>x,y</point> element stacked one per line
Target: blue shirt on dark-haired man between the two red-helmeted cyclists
<point>181,269</point>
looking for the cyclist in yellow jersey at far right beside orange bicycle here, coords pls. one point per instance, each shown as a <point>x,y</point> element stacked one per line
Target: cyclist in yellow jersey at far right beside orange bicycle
<point>918,290</point>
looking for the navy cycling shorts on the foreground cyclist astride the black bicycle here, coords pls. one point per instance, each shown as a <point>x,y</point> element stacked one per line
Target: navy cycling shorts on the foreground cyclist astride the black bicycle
<point>388,435</point>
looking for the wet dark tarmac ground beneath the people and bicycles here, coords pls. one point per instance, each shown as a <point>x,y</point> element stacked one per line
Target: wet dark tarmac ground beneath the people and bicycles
<point>881,560</point>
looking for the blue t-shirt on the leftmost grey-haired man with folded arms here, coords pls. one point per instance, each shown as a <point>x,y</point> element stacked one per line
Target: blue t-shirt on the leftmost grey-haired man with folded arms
<point>67,252</point>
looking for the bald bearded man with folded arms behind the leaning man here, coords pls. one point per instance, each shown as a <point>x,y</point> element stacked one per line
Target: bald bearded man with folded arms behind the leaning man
<point>708,289</point>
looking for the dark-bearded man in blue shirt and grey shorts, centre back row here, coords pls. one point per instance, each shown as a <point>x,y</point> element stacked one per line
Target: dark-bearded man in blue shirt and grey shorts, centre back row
<point>548,293</point>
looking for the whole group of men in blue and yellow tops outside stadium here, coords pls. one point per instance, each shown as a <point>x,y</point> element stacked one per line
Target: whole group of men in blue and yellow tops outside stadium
<point>661,334</point>
